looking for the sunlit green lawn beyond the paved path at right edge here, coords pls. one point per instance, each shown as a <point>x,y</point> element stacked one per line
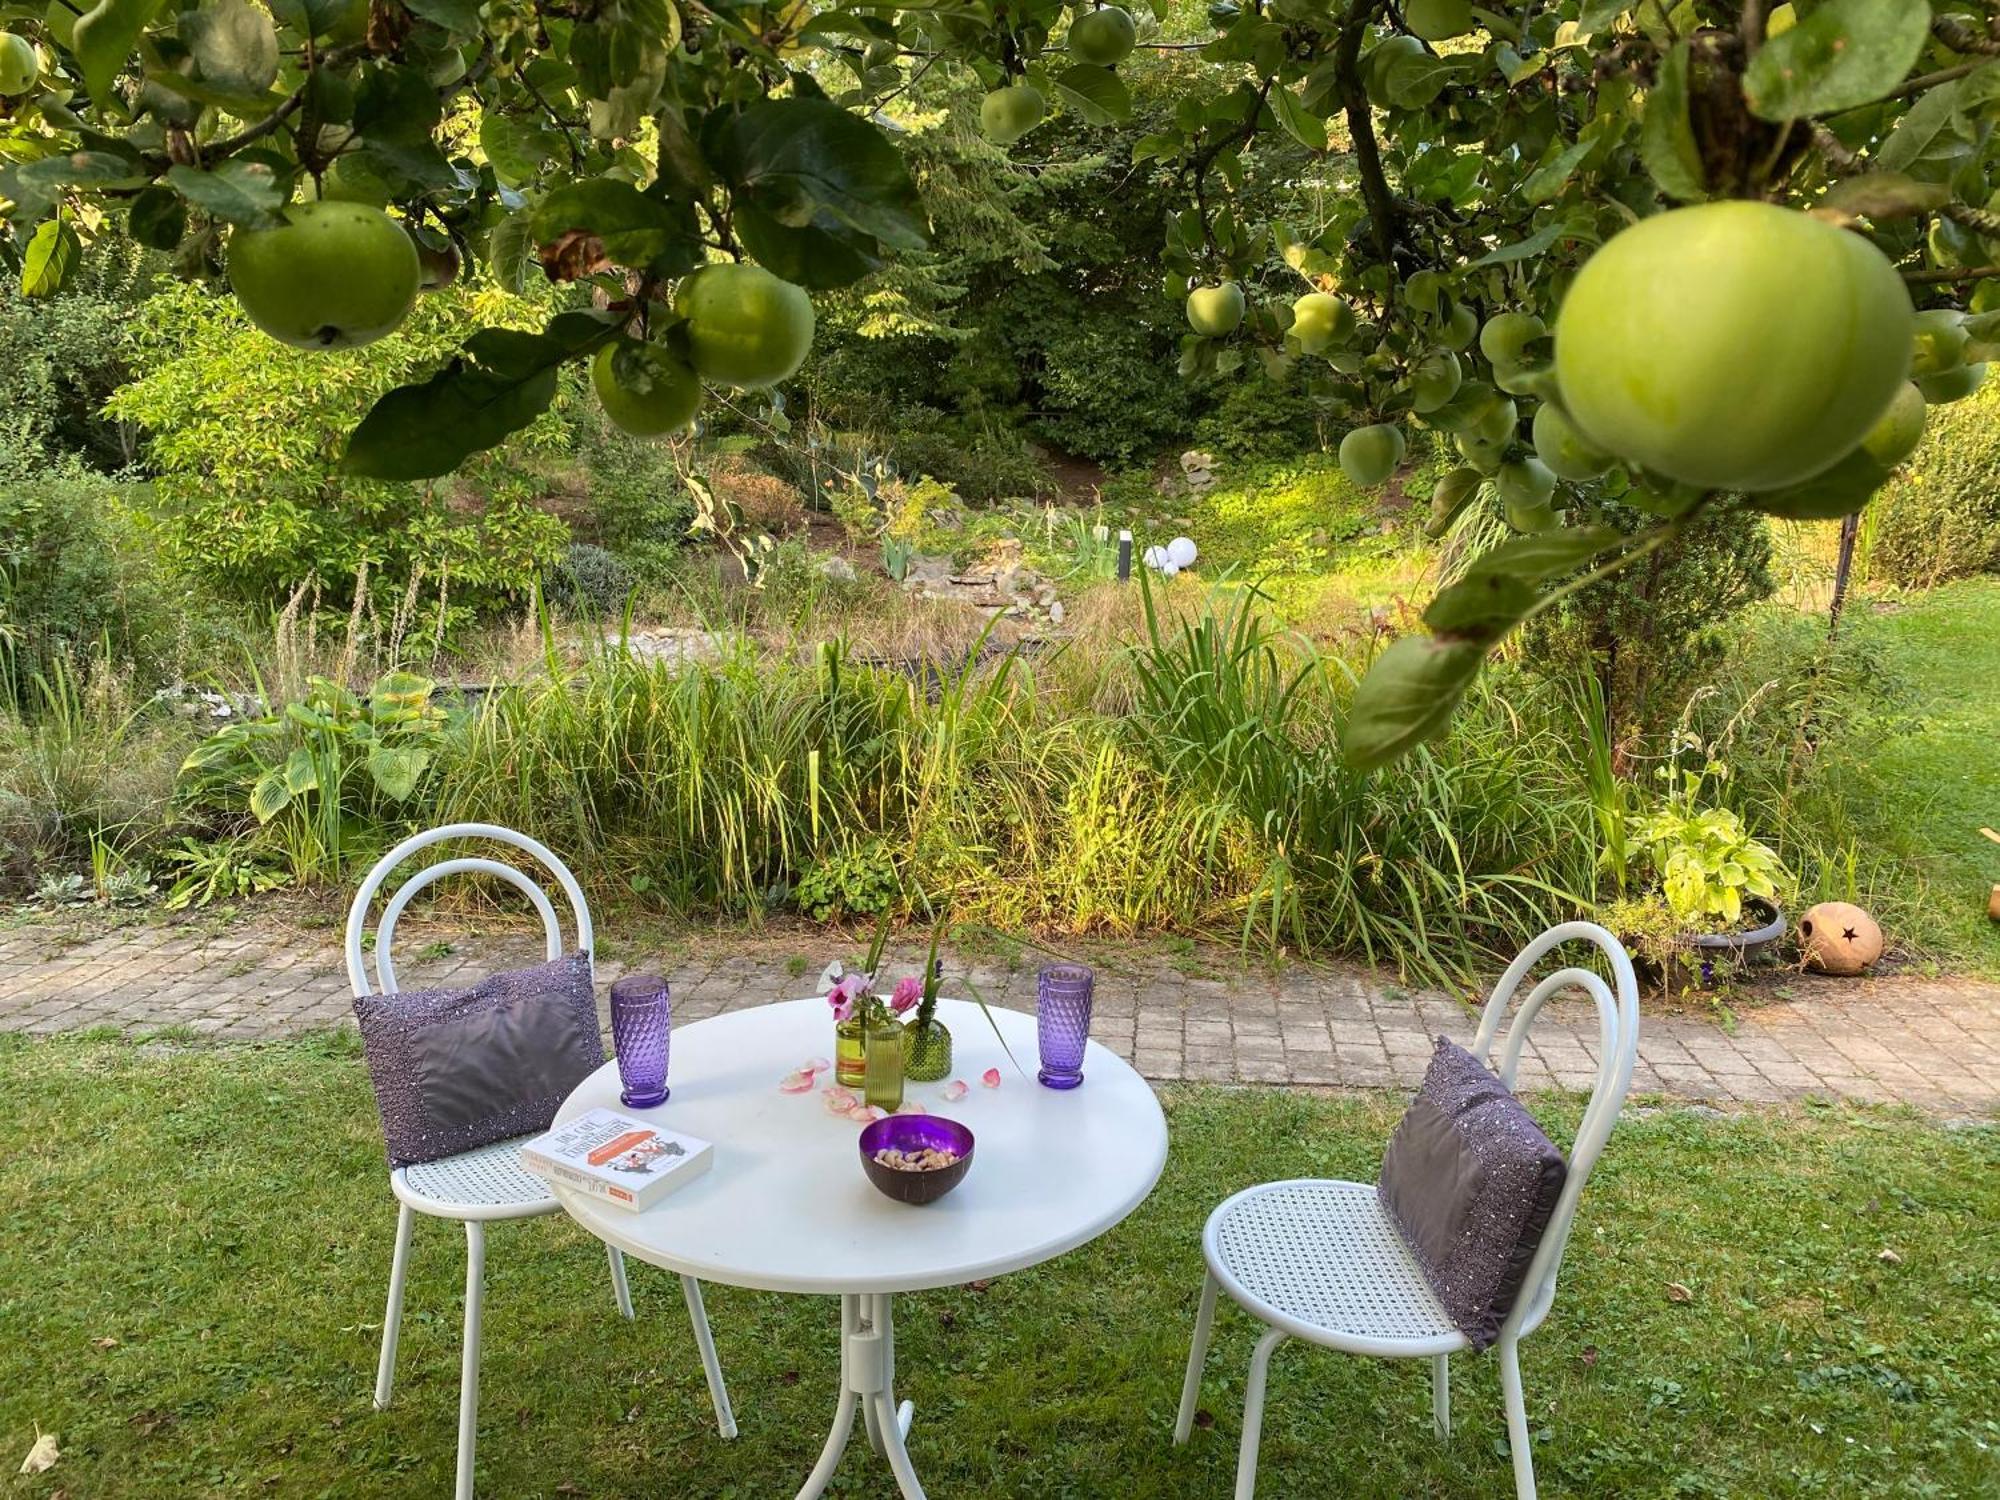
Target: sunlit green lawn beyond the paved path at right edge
<point>1925,777</point>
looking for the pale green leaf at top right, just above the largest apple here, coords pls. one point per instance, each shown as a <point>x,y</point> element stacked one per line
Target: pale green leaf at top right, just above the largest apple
<point>1843,55</point>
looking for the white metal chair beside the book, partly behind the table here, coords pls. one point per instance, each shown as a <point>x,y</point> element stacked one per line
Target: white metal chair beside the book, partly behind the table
<point>487,1183</point>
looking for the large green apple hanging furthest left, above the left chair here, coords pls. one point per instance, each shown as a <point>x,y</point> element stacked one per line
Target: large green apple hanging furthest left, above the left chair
<point>329,277</point>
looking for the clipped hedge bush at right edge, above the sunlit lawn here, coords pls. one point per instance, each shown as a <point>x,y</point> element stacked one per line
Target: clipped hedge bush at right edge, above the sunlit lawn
<point>1941,517</point>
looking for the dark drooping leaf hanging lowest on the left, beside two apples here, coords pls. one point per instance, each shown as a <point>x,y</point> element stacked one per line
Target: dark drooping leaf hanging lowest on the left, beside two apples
<point>501,383</point>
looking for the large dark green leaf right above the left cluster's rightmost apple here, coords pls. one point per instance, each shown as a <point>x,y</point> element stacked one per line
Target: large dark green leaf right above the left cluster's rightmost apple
<point>797,157</point>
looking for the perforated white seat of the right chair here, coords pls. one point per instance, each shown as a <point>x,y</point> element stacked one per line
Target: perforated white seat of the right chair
<point>1325,1263</point>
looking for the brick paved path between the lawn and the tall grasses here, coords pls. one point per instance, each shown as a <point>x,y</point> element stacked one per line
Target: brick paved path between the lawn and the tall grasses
<point>1197,1015</point>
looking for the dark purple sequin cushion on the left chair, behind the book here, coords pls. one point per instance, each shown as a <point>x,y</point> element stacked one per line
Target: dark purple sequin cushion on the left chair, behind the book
<point>461,1069</point>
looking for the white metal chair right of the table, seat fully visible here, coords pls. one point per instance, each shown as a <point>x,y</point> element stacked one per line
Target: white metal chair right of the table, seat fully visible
<point>1321,1261</point>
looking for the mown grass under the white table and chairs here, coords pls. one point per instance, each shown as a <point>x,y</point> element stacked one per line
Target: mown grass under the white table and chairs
<point>197,1243</point>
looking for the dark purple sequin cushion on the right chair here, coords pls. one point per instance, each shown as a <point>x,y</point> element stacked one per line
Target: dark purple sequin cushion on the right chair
<point>1471,1183</point>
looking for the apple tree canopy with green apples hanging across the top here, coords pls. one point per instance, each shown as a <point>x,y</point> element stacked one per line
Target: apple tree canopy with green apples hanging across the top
<point>1755,355</point>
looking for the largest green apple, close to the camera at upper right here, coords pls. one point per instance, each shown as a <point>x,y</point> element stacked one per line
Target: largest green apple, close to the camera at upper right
<point>1733,345</point>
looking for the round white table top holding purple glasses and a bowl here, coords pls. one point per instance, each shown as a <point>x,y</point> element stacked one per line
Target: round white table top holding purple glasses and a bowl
<point>787,1207</point>
